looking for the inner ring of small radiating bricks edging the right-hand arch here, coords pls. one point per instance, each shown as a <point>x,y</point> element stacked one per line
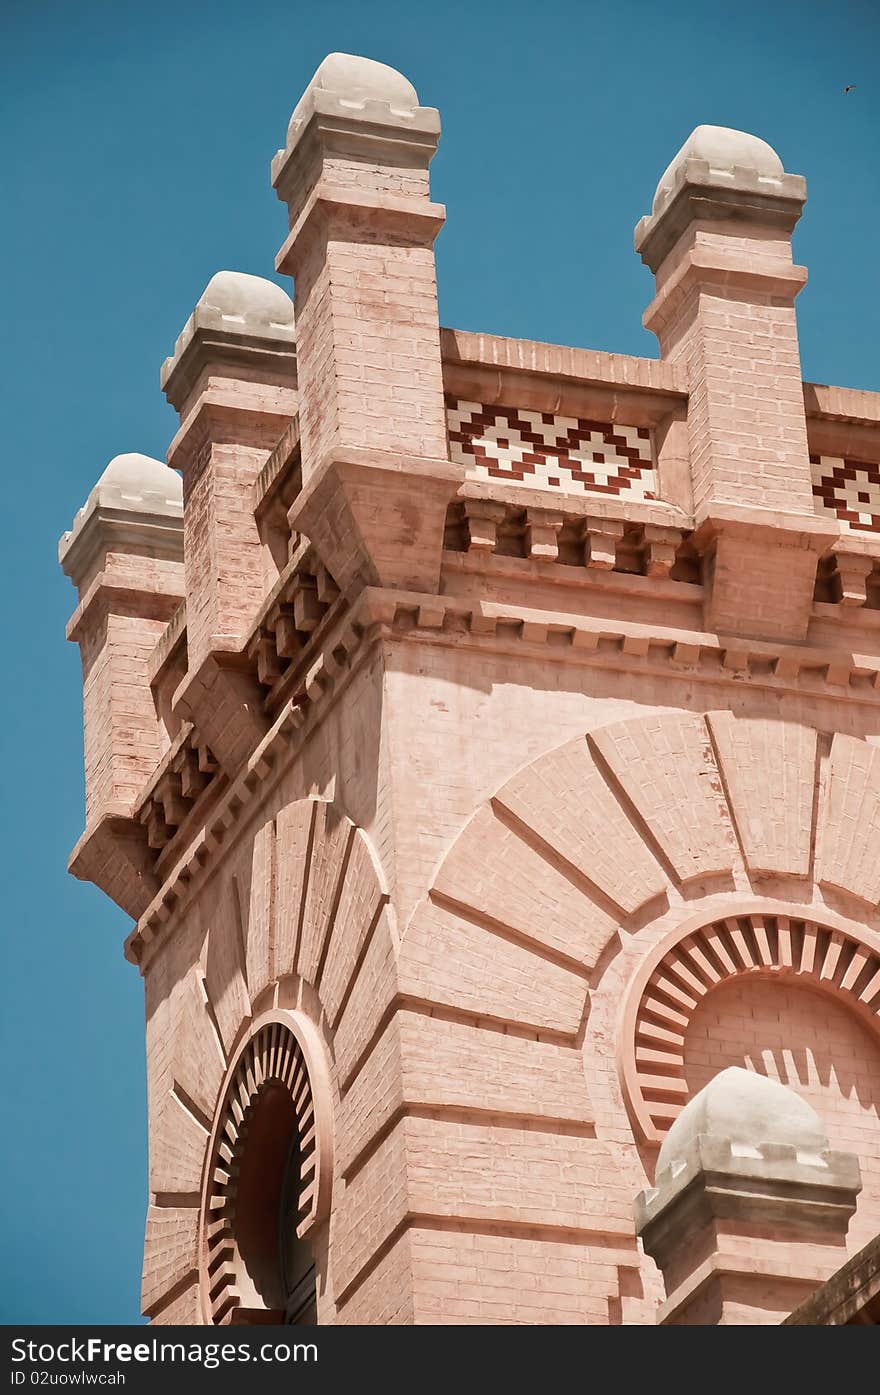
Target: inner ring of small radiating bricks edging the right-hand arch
<point>771,941</point>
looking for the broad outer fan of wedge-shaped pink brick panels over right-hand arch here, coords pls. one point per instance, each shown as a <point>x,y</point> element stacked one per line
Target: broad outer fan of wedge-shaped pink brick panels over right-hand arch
<point>596,836</point>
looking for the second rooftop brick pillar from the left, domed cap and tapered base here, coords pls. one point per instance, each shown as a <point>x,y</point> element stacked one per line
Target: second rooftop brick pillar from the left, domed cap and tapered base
<point>234,382</point>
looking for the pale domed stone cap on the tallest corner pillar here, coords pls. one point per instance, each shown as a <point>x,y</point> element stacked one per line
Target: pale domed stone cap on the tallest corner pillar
<point>354,93</point>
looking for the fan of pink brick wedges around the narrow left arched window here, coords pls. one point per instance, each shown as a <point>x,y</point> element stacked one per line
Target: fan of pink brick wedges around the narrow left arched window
<point>302,903</point>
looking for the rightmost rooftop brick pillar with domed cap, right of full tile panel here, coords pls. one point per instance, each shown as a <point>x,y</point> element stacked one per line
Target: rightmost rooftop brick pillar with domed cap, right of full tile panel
<point>719,241</point>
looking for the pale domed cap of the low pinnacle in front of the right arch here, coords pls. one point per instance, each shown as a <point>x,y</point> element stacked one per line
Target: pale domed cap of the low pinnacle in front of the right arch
<point>748,1111</point>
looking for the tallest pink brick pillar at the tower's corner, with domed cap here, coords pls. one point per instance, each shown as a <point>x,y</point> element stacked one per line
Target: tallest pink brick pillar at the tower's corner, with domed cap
<point>355,175</point>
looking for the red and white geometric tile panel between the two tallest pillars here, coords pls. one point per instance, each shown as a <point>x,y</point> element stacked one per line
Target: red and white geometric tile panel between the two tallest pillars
<point>570,454</point>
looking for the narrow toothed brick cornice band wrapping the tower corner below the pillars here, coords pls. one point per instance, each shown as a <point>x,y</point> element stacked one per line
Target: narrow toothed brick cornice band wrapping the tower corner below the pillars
<point>450,621</point>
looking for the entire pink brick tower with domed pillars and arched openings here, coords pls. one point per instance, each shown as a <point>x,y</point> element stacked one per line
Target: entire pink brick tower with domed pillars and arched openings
<point>485,740</point>
